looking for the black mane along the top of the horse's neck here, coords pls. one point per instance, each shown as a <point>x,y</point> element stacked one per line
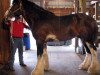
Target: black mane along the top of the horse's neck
<point>32,7</point>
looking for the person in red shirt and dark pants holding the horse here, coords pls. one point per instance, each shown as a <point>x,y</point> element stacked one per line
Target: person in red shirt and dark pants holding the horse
<point>16,31</point>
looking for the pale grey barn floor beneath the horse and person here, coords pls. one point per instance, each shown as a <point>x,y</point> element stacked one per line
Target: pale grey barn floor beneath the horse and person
<point>62,61</point>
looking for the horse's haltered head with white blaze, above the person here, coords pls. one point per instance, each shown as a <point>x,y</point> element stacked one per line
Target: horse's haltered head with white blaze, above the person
<point>15,9</point>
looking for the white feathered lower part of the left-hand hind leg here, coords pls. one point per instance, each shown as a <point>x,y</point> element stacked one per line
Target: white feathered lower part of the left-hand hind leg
<point>86,63</point>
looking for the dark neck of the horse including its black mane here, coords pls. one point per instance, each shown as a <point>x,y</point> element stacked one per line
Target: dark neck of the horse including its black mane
<point>35,14</point>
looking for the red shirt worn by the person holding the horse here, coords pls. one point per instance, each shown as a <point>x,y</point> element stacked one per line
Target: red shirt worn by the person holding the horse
<point>17,29</point>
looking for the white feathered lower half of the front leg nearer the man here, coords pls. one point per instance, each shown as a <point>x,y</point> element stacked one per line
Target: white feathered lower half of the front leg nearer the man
<point>39,69</point>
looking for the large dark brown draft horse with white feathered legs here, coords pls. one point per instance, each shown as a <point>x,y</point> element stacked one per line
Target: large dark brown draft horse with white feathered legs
<point>46,26</point>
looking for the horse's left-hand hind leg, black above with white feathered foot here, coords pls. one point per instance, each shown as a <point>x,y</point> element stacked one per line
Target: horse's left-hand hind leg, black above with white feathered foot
<point>87,61</point>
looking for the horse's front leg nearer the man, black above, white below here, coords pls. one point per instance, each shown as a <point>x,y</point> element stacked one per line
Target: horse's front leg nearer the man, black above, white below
<point>39,69</point>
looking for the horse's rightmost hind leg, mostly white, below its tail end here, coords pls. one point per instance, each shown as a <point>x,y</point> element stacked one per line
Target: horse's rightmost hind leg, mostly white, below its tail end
<point>94,63</point>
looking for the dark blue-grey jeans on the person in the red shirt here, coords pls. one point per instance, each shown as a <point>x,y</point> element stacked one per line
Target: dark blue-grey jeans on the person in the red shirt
<point>16,43</point>
